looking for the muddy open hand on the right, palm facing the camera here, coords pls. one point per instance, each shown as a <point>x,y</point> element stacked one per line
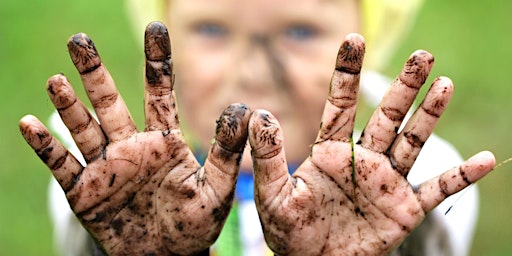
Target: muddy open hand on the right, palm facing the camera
<point>348,199</point>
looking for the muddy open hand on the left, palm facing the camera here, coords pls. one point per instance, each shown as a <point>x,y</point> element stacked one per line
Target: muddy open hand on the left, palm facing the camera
<point>141,193</point>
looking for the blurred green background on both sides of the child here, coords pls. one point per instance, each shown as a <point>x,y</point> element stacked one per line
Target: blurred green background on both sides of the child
<point>471,41</point>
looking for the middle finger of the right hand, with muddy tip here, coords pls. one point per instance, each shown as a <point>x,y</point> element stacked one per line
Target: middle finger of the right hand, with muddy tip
<point>383,126</point>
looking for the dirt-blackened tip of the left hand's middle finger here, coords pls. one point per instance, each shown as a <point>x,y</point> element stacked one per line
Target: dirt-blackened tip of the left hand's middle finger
<point>83,53</point>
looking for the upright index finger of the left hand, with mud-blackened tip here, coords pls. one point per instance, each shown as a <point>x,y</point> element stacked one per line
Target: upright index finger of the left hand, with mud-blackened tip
<point>159,98</point>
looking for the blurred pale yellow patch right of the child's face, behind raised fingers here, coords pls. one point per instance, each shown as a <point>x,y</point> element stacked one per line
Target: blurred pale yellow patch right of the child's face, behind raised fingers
<point>385,23</point>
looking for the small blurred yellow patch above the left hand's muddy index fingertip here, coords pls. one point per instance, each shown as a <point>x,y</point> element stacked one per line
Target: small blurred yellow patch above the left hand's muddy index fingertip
<point>142,12</point>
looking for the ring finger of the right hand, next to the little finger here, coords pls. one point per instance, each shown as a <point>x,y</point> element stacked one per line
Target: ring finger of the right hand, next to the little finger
<point>407,146</point>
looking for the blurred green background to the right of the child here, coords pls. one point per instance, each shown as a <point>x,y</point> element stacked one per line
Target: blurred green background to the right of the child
<point>471,44</point>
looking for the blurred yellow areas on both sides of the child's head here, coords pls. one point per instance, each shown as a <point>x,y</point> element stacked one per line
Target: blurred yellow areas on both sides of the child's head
<point>385,22</point>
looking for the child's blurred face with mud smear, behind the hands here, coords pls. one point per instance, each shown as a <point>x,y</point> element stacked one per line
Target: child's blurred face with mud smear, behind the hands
<point>272,54</point>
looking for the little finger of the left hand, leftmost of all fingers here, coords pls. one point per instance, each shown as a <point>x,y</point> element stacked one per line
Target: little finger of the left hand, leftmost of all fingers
<point>63,165</point>
